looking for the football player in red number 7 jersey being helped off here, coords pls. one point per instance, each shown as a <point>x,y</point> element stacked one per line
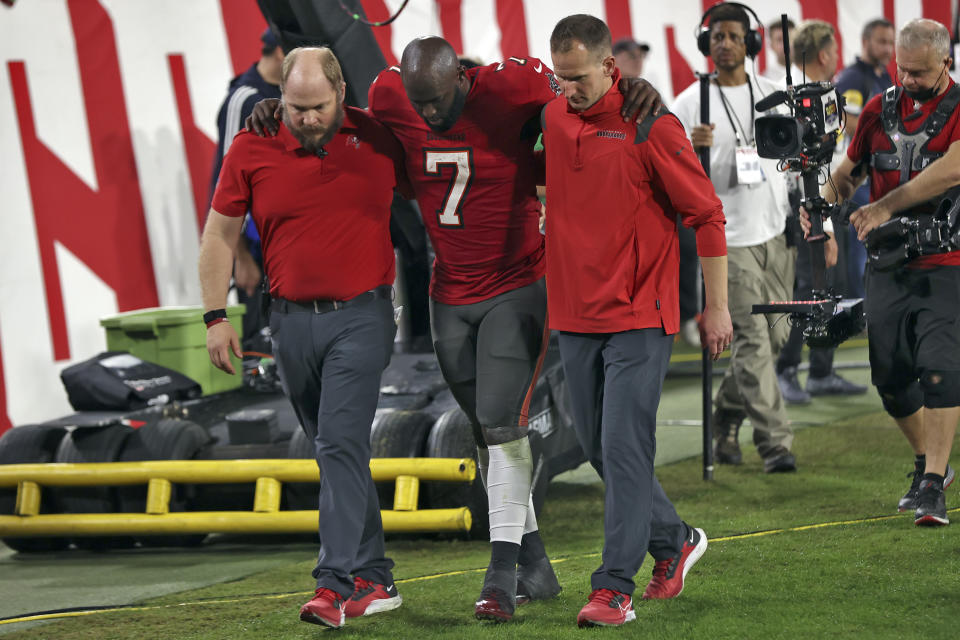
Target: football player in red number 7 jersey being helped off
<point>469,136</point>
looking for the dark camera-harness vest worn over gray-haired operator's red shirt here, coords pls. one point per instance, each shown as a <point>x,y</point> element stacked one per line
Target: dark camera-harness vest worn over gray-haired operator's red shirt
<point>908,151</point>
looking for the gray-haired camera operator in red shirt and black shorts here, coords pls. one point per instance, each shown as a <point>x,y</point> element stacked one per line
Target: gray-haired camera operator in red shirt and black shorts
<point>912,310</point>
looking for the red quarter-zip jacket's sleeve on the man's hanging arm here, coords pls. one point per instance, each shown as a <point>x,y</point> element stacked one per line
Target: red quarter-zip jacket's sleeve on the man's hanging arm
<point>669,158</point>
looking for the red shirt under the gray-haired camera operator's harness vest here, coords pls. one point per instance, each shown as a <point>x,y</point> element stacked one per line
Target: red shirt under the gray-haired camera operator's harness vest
<point>870,137</point>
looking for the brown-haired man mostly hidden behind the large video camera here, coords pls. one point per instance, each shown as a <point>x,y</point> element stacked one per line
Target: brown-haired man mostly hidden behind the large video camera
<point>814,50</point>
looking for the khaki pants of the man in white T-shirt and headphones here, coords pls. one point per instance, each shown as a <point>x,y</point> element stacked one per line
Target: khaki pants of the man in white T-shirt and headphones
<point>758,274</point>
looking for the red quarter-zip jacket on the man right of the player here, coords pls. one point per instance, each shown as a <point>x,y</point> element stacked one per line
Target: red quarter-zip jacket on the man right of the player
<point>614,190</point>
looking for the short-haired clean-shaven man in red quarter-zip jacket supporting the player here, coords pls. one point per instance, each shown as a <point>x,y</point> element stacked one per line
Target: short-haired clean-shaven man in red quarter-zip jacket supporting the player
<point>614,190</point>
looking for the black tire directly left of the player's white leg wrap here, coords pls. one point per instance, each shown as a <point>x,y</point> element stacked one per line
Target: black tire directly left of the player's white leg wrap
<point>452,437</point>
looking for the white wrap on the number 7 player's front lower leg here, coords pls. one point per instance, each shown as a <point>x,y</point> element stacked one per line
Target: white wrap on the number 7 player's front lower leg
<point>508,489</point>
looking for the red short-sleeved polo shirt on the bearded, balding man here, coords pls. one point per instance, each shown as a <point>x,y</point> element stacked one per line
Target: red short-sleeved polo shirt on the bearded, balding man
<point>324,222</point>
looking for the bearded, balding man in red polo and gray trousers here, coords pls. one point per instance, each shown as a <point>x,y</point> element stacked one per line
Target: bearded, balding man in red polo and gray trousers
<point>320,193</point>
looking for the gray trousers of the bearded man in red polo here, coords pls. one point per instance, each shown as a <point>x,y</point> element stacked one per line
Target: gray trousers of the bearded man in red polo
<point>330,365</point>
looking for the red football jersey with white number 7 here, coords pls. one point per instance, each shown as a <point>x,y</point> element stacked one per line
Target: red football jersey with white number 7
<point>476,182</point>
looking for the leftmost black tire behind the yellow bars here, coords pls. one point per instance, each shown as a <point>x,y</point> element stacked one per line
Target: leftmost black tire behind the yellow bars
<point>27,444</point>
